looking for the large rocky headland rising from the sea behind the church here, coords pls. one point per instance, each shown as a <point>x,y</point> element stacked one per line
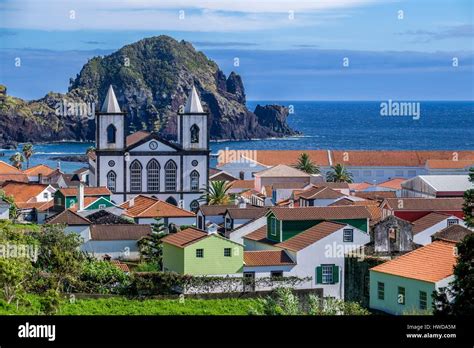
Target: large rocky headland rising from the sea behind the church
<point>151,78</point>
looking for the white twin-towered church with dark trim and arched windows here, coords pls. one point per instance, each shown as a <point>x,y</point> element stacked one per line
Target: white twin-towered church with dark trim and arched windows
<point>144,163</point>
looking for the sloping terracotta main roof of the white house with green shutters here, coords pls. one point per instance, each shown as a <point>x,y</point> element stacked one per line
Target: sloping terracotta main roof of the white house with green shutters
<point>310,236</point>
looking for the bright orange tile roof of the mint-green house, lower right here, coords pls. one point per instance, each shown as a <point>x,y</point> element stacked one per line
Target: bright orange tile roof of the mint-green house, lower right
<point>430,263</point>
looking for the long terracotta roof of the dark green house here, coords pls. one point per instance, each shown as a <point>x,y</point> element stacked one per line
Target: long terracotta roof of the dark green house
<point>321,213</point>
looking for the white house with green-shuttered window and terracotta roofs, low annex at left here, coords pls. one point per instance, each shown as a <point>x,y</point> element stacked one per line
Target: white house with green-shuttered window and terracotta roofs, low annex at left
<point>317,252</point>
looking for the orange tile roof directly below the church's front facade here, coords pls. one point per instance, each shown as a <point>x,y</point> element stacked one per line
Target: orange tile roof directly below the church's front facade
<point>144,206</point>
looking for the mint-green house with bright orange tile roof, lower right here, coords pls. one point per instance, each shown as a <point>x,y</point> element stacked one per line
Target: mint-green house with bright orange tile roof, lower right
<point>405,285</point>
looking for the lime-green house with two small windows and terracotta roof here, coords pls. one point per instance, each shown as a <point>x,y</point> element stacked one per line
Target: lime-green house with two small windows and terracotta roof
<point>195,252</point>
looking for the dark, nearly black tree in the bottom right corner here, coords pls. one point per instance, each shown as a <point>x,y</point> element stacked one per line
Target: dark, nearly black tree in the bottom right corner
<point>458,297</point>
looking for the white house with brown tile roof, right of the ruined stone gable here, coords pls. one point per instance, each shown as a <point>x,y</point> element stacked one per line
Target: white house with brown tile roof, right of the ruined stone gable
<point>428,225</point>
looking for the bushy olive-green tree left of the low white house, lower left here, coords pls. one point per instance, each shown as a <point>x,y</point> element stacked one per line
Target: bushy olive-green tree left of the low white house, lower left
<point>59,255</point>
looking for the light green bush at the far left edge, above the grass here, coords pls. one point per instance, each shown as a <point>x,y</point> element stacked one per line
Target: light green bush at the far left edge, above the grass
<point>14,273</point>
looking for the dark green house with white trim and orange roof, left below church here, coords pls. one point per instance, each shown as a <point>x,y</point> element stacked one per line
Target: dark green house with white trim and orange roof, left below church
<point>67,198</point>
